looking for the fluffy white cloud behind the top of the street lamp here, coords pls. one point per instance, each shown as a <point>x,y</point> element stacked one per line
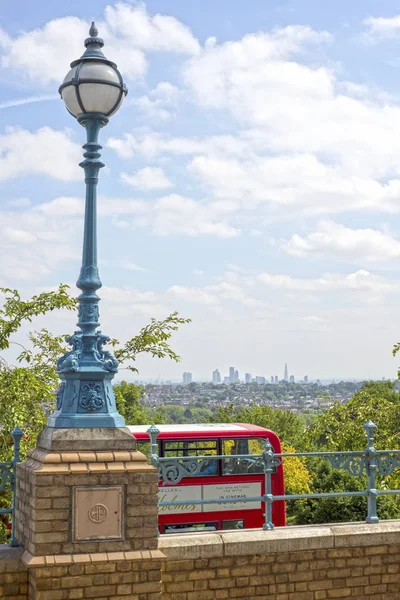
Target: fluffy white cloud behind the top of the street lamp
<point>128,30</point>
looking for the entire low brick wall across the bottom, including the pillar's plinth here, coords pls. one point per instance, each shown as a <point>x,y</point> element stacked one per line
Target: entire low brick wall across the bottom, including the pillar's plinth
<point>354,561</point>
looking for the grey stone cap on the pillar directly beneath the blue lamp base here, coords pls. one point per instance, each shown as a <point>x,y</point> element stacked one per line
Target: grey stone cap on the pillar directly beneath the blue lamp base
<point>96,438</point>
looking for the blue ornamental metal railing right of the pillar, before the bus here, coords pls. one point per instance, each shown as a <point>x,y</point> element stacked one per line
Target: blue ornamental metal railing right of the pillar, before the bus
<point>369,462</point>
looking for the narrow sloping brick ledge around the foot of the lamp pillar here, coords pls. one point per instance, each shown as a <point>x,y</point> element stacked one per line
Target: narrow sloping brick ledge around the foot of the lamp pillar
<point>60,560</point>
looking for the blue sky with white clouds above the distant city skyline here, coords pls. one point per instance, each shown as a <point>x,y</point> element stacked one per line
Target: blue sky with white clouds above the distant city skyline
<point>252,177</point>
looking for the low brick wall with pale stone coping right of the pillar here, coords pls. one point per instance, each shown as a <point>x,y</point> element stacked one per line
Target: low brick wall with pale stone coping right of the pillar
<point>298,563</point>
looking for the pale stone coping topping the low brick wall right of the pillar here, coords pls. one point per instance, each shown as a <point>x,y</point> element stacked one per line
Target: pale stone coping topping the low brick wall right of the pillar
<point>282,539</point>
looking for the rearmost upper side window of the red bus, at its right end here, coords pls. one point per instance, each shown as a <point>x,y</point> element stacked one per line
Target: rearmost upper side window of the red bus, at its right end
<point>242,466</point>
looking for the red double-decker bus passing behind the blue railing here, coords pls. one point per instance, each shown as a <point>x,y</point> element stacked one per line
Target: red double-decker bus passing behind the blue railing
<point>220,479</point>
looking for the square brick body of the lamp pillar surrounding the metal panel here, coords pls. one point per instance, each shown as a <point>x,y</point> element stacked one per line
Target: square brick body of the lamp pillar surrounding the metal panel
<point>44,501</point>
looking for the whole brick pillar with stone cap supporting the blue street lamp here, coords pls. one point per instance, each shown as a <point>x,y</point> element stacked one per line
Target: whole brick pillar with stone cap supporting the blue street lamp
<point>86,513</point>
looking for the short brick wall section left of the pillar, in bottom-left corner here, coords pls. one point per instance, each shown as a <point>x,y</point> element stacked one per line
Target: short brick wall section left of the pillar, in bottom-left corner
<point>13,574</point>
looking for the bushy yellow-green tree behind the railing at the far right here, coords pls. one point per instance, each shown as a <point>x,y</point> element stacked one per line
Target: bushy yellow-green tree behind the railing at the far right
<point>341,428</point>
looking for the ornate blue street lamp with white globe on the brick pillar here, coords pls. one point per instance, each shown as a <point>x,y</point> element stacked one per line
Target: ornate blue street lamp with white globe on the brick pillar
<point>92,90</point>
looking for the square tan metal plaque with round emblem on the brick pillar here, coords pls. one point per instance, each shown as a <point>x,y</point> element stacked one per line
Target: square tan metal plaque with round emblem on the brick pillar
<point>97,513</point>
